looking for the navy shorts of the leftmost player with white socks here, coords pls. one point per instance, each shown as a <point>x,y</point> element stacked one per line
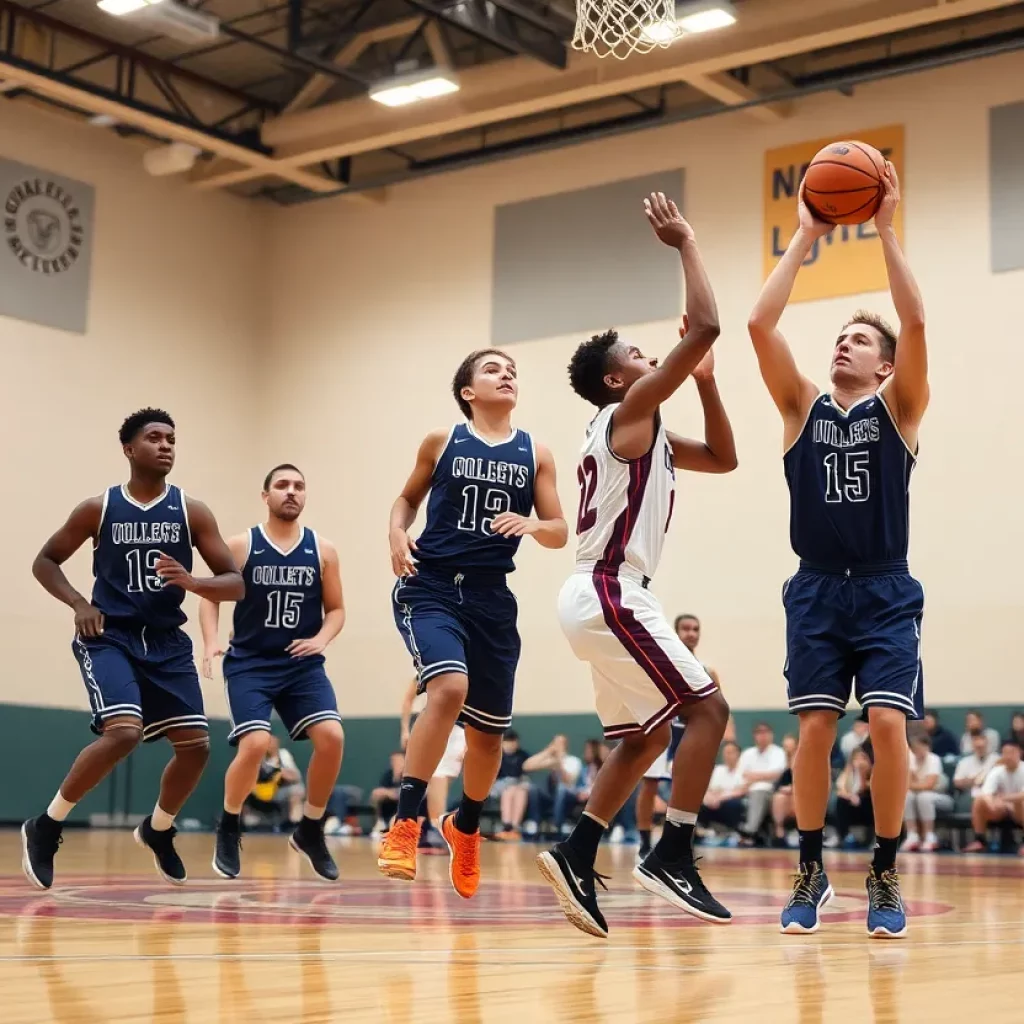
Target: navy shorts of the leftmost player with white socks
<point>145,673</point>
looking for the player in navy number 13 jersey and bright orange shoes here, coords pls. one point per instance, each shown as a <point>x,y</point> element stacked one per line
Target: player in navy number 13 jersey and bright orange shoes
<point>452,606</point>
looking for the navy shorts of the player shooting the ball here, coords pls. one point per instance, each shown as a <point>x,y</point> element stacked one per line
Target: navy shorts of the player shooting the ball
<point>858,633</point>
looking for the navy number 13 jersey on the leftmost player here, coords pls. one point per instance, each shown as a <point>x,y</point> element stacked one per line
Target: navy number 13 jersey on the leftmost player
<point>133,537</point>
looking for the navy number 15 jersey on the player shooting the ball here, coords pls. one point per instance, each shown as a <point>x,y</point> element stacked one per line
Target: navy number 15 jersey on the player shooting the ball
<point>849,477</point>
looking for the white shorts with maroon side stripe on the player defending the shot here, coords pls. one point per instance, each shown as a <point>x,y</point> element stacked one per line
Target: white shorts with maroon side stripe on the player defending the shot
<point>643,672</point>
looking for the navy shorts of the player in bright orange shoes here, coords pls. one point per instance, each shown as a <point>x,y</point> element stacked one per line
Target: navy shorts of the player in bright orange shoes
<point>458,624</point>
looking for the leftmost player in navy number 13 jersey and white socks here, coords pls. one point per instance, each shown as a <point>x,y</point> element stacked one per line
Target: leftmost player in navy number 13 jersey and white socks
<point>136,660</point>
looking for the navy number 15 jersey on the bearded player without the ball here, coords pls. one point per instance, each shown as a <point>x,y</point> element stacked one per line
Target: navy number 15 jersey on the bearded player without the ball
<point>284,595</point>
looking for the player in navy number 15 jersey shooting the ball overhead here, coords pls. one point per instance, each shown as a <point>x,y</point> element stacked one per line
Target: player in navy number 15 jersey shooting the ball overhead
<point>854,612</point>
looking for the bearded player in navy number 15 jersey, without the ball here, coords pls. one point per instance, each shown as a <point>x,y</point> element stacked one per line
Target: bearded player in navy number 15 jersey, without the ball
<point>293,609</point>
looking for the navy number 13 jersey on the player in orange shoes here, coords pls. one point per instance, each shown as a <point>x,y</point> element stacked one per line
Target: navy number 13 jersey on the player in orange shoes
<point>475,482</point>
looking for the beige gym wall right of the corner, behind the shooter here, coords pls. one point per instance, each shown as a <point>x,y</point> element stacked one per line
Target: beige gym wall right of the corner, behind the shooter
<point>373,307</point>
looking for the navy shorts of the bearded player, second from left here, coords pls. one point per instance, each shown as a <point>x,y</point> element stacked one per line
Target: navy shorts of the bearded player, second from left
<point>296,689</point>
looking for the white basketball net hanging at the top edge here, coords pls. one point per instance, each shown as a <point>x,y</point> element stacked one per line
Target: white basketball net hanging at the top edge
<point>619,28</point>
